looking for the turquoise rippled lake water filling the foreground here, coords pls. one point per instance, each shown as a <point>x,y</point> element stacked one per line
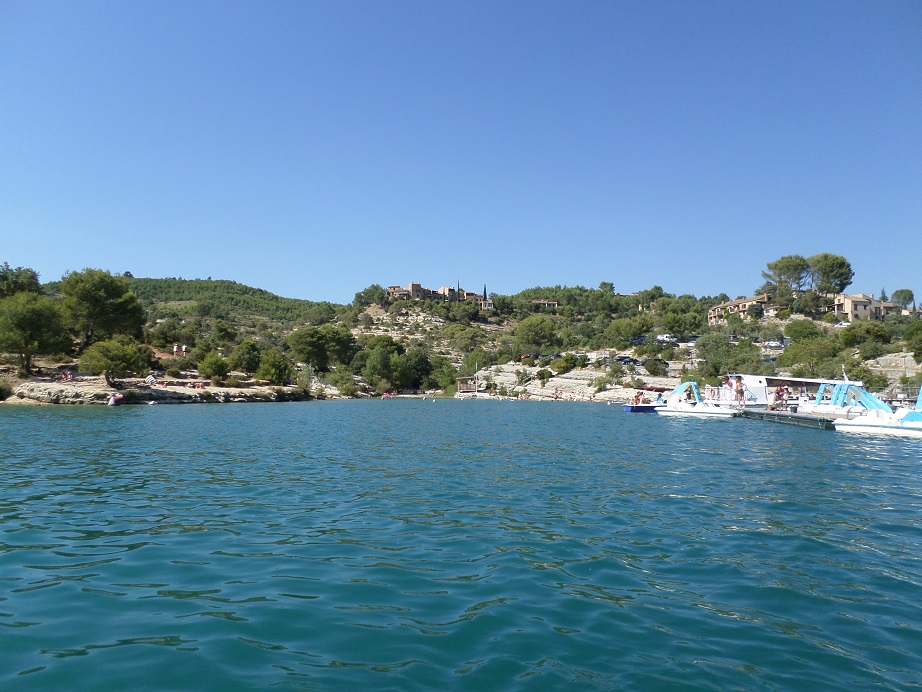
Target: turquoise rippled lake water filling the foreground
<point>452,545</point>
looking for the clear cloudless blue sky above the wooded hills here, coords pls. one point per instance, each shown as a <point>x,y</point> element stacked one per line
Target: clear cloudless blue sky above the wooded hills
<point>314,148</point>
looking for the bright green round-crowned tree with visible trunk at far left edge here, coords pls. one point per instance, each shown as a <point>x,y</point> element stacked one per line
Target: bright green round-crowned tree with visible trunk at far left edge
<point>31,325</point>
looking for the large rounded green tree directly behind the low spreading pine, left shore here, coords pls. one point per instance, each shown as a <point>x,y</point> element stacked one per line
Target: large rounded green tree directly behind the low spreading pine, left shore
<point>101,305</point>
